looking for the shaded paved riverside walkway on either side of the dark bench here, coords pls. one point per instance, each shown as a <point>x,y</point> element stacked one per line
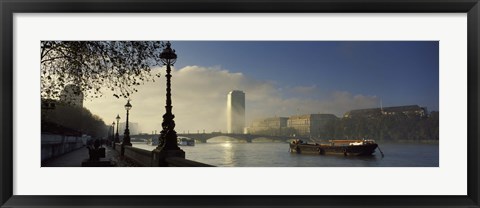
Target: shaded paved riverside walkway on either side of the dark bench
<point>75,158</point>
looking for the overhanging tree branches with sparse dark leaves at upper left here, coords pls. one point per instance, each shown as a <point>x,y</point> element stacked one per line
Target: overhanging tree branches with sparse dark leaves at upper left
<point>117,66</point>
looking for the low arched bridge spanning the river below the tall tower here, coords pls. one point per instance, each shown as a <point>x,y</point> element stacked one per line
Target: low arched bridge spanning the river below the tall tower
<point>204,137</point>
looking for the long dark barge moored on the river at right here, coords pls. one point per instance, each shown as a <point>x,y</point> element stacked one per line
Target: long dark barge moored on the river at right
<point>339,147</point>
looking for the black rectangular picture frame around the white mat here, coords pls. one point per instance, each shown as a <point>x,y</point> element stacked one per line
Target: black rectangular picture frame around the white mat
<point>9,7</point>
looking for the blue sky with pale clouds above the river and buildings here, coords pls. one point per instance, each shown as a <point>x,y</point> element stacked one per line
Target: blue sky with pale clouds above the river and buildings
<point>282,78</point>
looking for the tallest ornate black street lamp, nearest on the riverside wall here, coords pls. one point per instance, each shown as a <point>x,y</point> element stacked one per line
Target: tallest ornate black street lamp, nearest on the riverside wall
<point>168,136</point>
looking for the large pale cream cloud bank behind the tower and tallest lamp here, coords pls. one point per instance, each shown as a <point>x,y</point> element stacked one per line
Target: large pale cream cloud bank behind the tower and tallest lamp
<point>199,96</point>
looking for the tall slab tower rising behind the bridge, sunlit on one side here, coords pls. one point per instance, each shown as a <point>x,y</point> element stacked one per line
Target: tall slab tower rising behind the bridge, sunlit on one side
<point>235,112</point>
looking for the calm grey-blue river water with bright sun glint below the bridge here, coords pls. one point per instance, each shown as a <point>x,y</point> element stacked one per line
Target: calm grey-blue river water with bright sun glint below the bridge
<point>276,154</point>
